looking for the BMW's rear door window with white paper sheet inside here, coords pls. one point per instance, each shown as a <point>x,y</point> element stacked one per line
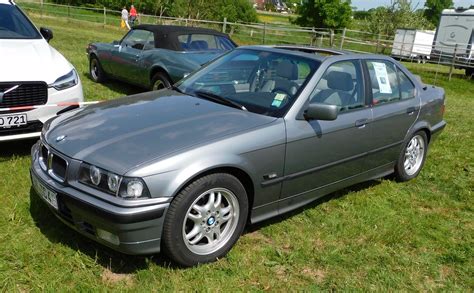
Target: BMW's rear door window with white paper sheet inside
<point>383,81</point>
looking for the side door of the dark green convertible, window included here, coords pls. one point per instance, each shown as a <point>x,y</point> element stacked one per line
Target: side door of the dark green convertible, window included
<point>127,56</point>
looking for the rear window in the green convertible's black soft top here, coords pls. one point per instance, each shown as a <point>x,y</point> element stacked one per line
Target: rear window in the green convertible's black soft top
<point>200,42</point>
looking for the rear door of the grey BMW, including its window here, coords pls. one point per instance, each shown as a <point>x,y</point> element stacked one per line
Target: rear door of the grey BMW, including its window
<point>395,107</point>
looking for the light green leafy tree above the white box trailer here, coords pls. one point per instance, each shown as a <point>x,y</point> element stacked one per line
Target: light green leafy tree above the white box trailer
<point>386,20</point>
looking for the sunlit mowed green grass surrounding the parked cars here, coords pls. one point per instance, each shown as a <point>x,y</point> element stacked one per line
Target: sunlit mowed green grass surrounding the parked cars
<point>374,236</point>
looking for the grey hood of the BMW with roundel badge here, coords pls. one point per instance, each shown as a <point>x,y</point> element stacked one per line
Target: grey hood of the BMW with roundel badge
<point>121,134</point>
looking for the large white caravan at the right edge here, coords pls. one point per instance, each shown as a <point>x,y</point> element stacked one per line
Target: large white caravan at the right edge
<point>455,34</point>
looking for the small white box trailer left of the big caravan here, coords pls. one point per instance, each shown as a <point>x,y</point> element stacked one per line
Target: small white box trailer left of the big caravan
<point>413,44</point>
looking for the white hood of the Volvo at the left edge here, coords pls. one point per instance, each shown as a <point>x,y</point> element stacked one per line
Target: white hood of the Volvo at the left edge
<point>31,60</point>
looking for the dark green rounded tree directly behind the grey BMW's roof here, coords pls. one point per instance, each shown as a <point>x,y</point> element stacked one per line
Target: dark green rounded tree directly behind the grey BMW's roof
<point>325,13</point>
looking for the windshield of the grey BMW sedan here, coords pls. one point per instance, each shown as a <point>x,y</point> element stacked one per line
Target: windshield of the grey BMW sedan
<point>263,82</point>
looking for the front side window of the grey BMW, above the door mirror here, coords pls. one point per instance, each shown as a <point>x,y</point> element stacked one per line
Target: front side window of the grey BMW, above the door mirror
<point>341,85</point>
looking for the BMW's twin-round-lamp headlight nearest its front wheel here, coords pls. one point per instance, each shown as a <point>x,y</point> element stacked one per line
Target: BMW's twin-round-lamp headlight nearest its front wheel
<point>125,187</point>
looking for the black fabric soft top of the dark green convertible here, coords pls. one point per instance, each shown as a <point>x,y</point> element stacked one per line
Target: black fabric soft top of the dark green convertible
<point>166,36</point>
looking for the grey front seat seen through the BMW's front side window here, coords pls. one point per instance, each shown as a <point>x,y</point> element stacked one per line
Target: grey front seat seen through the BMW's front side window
<point>340,86</point>
